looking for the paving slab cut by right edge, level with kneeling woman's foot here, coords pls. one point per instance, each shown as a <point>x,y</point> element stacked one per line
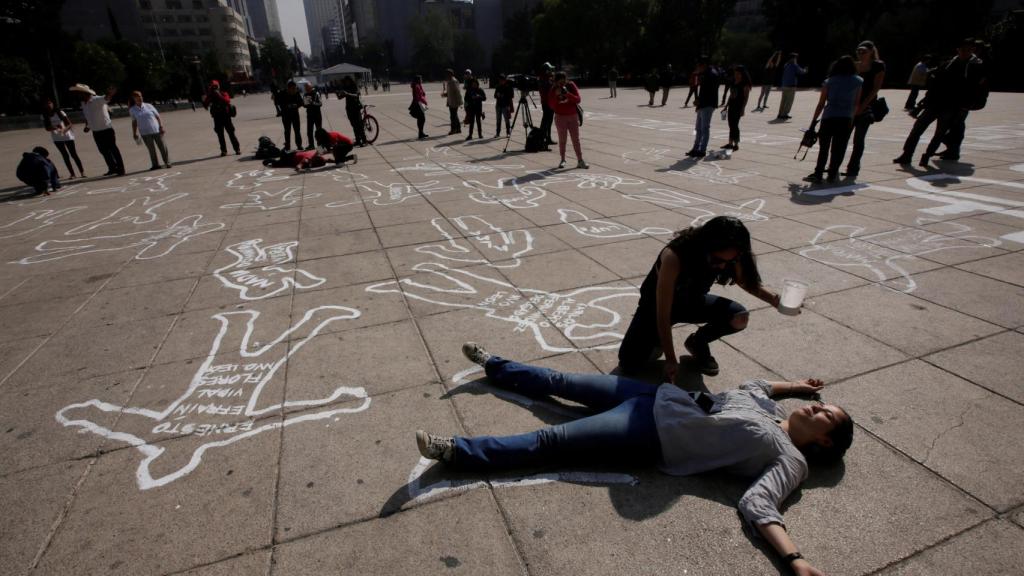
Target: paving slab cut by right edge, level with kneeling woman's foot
<point>994,363</point>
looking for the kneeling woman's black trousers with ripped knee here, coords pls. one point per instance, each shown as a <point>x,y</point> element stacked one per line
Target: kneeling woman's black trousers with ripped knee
<point>642,338</point>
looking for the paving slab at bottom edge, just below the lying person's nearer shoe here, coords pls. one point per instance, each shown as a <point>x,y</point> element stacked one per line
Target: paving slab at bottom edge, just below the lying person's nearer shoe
<point>474,542</point>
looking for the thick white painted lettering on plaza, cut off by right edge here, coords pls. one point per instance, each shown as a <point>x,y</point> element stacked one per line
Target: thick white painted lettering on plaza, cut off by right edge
<point>949,201</point>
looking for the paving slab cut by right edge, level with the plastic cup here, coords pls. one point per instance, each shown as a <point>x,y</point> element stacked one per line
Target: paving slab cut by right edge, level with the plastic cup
<point>992,301</point>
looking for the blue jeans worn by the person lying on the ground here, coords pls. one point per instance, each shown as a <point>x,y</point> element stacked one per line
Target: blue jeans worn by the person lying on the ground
<point>622,432</point>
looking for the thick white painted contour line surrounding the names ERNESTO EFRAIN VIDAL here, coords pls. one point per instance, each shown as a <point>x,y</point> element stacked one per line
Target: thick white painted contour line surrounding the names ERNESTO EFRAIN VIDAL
<point>152,452</point>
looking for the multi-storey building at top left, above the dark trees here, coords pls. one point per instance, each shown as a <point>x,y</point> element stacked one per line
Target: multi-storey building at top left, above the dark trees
<point>199,27</point>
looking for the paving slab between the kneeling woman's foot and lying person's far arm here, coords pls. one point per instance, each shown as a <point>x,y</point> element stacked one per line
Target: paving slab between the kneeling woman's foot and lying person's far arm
<point>809,346</point>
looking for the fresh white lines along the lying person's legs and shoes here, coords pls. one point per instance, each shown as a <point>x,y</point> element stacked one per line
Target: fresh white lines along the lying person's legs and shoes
<point>419,493</point>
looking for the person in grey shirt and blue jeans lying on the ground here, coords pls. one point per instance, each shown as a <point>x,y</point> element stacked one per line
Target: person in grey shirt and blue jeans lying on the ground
<point>635,423</point>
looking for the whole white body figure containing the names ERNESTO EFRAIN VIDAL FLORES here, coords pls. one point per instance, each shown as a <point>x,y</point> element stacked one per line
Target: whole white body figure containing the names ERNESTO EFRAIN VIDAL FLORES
<point>223,403</point>
